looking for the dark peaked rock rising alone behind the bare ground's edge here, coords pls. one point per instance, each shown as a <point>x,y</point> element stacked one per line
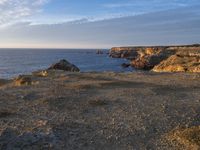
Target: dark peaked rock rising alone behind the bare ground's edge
<point>64,65</point>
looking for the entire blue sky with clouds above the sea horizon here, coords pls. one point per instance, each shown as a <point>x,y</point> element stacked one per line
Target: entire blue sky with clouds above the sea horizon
<point>98,23</point>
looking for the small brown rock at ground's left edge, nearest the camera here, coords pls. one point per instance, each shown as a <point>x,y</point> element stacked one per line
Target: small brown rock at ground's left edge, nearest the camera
<point>23,80</point>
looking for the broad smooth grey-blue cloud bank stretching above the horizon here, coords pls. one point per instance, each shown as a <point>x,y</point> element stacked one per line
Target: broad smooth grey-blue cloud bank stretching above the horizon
<point>176,26</point>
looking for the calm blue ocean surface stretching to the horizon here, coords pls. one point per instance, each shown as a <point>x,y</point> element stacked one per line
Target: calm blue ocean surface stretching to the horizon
<point>24,61</point>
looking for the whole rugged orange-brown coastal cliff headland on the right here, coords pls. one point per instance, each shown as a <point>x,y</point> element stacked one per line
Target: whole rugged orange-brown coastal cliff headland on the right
<point>161,58</point>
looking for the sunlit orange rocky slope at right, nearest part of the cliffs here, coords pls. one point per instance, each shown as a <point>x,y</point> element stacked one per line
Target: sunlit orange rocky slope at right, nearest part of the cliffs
<point>179,63</point>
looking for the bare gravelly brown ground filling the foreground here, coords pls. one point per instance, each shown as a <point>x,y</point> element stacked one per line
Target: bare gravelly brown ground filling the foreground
<point>89,111</point>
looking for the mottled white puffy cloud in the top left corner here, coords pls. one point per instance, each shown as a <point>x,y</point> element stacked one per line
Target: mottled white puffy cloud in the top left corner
<point>12,11</point>
